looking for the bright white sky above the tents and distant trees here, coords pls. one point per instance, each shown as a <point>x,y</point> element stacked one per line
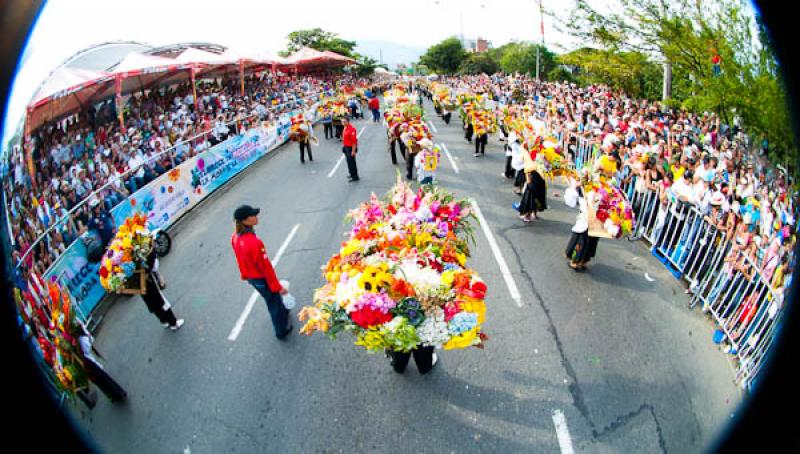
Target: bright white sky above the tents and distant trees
<point>65,27</point>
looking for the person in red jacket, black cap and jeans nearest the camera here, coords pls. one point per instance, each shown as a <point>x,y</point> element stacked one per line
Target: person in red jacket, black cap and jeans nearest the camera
<point>256,269</point>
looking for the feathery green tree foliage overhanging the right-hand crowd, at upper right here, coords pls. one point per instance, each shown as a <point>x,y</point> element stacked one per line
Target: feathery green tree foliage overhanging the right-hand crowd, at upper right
<point>688,34</point>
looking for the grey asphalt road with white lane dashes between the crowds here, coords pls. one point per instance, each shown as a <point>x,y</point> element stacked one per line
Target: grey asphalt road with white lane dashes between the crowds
<point>615,361</point>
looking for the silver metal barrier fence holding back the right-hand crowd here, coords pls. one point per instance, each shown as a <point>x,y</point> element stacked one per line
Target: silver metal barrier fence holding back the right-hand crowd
<point>726,282</point>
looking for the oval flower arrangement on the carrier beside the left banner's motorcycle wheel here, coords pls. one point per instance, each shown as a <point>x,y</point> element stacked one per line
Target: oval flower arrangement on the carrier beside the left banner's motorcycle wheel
<point>127,253</point>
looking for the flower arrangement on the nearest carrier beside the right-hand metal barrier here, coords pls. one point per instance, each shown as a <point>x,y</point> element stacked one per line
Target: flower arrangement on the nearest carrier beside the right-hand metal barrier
<point>610,208</point>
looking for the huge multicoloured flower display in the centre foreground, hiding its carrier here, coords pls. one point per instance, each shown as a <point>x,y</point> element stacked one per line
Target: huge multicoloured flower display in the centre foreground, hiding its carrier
<point>400,280</point>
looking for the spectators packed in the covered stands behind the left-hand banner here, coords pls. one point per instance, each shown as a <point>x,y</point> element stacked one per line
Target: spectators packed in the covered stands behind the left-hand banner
<point>75,156</point>
